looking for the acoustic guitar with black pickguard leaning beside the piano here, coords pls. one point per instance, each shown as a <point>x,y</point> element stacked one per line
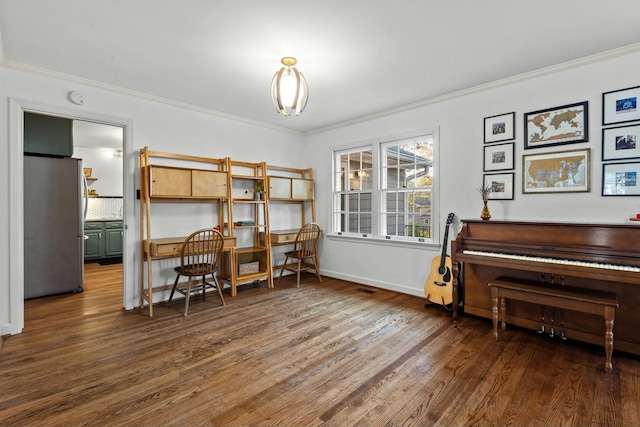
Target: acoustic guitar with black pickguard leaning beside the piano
<point>439,285</point>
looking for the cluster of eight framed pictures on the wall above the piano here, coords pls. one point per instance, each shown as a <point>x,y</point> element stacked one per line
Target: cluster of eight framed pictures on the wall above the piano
<point>566,171</point>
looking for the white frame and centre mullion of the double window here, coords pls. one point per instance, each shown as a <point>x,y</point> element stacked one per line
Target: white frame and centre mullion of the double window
<point>377,190</point>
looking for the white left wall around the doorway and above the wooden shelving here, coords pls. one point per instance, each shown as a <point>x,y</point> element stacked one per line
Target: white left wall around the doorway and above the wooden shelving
<point>161,126</point>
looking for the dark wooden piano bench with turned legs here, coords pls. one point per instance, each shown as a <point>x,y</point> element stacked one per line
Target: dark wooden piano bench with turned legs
<point>564,297</point>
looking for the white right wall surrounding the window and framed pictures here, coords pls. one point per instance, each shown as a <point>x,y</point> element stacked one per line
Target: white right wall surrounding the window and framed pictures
<point>460,120</point>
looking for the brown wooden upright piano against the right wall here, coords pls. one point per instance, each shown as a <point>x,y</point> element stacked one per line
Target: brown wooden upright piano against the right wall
<point>591,256</point>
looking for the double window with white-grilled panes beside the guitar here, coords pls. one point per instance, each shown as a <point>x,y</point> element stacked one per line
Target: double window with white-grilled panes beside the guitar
<point>385,189</point>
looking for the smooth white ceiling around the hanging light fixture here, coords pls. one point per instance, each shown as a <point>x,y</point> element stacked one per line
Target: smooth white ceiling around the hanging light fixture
<point>360,57</point>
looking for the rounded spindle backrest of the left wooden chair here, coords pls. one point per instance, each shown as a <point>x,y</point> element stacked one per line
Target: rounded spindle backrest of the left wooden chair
<point>202,250</point>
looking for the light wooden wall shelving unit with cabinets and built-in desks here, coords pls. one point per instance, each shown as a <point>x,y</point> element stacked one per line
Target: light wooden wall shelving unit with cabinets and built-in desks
<point>243,216</point>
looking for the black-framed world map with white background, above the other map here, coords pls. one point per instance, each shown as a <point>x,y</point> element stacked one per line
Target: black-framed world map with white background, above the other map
<point>555,126</point>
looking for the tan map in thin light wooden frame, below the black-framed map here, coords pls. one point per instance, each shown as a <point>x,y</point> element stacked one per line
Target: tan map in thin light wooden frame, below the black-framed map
<point>558,172</point>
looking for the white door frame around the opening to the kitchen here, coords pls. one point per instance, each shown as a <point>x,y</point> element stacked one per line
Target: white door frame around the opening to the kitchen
<point>17,108</point>
